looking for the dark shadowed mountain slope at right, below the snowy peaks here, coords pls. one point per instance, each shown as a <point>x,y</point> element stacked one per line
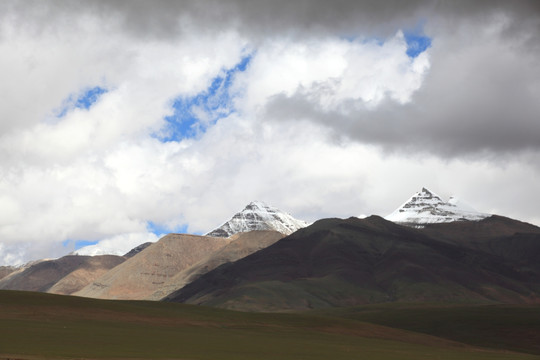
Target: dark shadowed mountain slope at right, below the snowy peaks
<point>348,262</point>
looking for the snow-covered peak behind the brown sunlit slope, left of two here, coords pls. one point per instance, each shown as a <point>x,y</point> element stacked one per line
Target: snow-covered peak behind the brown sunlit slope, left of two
<point>259,216</point>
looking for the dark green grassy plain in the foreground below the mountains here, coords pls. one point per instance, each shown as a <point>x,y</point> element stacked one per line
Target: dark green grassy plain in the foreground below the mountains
<point>44,326</point>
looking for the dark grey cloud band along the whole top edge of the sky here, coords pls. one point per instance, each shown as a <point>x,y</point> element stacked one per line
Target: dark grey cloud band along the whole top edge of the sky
<point>265,18</point>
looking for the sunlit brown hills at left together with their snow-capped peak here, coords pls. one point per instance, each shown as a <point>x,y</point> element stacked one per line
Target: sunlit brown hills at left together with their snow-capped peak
<point>154,270</point>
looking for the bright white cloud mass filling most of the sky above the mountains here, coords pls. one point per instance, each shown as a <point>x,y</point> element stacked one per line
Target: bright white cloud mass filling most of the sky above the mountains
<point>100,175</point>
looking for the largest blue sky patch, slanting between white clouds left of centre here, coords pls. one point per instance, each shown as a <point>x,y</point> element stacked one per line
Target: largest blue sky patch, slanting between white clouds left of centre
<point>193,115</point>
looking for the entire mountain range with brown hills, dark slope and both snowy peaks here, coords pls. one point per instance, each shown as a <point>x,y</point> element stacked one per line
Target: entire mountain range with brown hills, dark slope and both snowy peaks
<point>263,259</point>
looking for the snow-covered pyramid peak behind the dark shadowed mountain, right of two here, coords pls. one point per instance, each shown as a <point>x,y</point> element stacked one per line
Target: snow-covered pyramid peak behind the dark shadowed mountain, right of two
<point>425,207</point>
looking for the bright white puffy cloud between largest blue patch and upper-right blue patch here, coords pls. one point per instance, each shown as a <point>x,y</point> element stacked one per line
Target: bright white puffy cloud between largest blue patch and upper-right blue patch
<point>333,71</point>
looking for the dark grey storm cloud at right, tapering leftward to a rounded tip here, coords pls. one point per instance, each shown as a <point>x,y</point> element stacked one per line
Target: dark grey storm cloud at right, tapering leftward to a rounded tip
<point>474,109</point>
